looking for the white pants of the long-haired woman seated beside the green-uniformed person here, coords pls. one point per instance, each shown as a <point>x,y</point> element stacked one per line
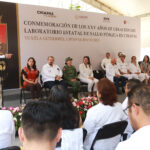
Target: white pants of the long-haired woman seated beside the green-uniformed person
<point>90,83</point>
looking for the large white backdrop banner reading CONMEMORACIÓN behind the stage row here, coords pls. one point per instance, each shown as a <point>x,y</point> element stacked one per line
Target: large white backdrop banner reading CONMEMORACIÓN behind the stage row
<point>46,31</point>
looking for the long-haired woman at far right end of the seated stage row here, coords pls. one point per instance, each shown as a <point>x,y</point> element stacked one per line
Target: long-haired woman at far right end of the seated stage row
<point>145,65</point>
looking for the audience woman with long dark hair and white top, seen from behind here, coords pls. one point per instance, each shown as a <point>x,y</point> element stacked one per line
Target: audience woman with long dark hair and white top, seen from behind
<point>72,134</point>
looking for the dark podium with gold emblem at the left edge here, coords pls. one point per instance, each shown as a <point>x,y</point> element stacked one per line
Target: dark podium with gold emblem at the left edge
<point>3,71</point>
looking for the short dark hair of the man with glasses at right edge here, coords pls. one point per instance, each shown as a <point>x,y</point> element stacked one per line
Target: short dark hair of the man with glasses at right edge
<point>140,95</point>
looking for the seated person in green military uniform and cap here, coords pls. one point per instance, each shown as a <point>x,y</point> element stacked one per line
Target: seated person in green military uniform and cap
<point>70,75</point>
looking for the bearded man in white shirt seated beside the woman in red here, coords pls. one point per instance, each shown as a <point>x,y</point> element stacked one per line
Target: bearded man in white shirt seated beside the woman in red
<point>52,74</point>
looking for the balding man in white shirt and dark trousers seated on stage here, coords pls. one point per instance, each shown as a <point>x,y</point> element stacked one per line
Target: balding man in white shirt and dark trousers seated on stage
<point>112,73</point>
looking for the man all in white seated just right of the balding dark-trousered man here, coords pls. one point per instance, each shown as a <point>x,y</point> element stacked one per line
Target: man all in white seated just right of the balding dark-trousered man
<point>123,68</point>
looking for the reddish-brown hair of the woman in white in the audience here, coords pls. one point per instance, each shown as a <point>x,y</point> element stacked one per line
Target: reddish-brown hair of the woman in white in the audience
<point>107,90</point>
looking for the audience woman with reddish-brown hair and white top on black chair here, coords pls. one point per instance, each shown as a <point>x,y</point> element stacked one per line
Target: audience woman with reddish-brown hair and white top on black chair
<point>108,110</point>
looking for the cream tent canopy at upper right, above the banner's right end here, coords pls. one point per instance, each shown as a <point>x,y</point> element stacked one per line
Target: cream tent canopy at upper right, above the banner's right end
<point>131,8</point>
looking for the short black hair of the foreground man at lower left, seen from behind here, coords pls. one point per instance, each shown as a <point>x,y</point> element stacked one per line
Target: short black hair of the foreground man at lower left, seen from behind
<point>41,119</point>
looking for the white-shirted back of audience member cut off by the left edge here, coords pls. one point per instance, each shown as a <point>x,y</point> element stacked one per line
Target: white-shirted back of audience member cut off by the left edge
<point>7,129</point>
